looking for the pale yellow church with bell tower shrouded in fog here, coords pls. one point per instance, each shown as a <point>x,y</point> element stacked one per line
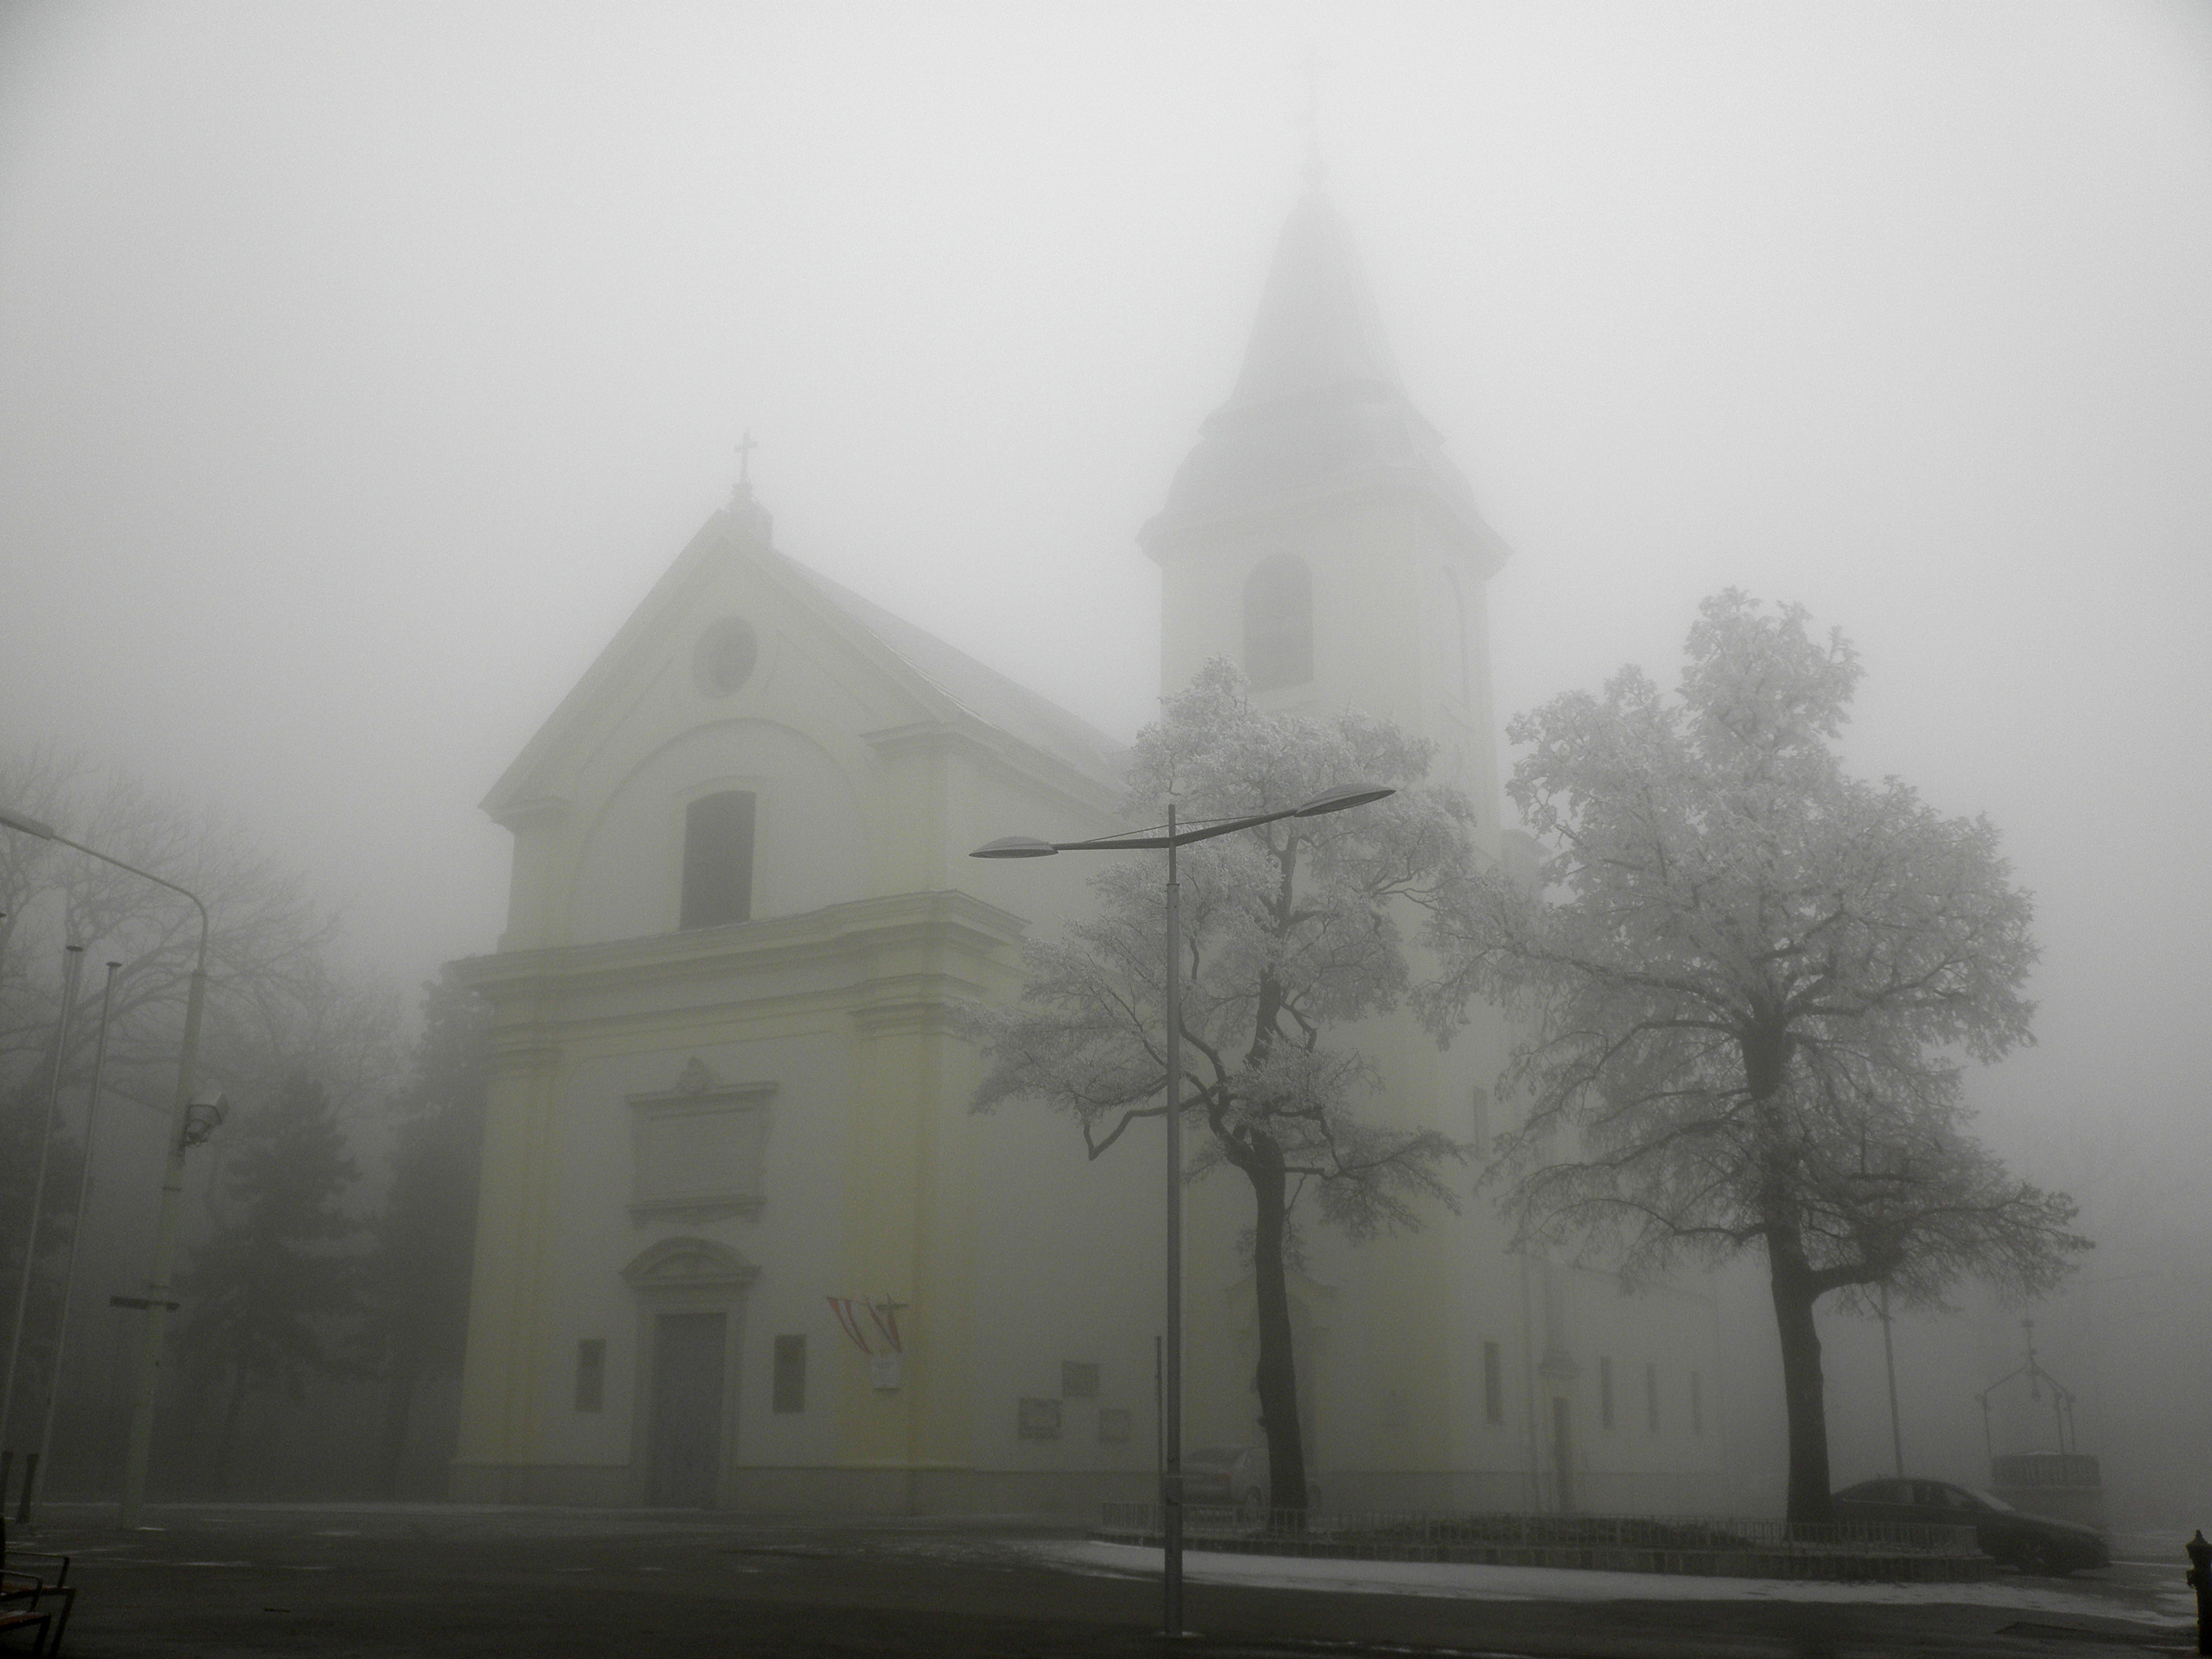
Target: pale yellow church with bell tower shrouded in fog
<point>731,1136</point>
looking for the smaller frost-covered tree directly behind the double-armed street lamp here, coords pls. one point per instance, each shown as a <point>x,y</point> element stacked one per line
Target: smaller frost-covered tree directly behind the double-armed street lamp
<point>1291,935</point>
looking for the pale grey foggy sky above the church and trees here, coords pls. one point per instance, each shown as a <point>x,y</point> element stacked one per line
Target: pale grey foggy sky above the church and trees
<point>364,366</point>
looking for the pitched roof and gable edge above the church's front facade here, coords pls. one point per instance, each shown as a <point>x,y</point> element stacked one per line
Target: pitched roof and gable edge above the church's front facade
<point>948,685</point>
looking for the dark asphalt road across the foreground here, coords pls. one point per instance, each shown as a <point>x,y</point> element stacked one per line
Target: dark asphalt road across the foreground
<point>430,1580</point>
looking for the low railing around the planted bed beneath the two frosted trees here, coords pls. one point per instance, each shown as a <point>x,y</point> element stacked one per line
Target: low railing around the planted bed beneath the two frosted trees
<point>1375,1532</point>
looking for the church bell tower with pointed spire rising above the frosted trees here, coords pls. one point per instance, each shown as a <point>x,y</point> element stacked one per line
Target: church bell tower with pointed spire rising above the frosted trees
<point>1319,536</point>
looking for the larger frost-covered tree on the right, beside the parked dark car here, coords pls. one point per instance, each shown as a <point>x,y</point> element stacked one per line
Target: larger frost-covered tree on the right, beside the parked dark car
<point>1746,994</point>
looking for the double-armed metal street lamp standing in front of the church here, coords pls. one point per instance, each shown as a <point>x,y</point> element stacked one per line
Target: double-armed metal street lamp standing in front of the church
<point>1171,837</point>
